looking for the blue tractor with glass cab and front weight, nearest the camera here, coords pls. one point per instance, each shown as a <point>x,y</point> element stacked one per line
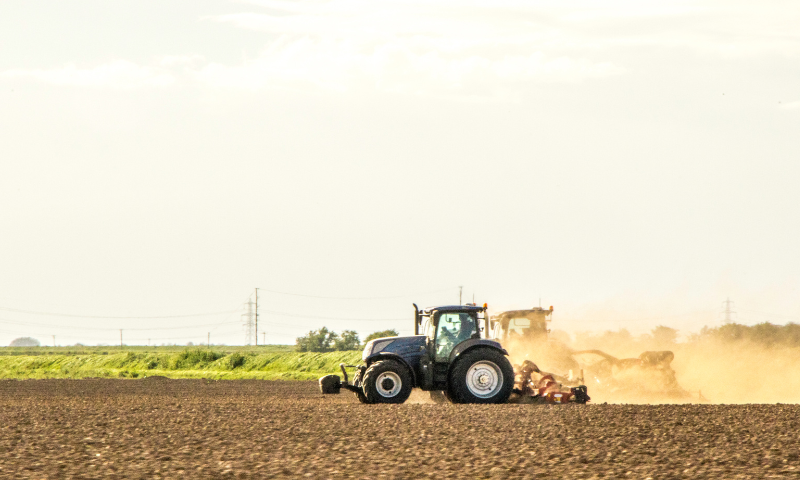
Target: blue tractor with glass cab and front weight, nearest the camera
<point>446,356</point>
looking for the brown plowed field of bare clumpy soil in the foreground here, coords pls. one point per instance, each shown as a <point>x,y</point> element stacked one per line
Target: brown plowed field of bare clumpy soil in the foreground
<point>158,428</point>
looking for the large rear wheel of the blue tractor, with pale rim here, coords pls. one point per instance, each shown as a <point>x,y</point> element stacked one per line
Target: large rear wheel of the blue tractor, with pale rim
<point>482,375</point>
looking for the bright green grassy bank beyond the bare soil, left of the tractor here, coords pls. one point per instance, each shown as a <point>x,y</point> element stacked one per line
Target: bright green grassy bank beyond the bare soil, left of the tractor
<point>188,363</point>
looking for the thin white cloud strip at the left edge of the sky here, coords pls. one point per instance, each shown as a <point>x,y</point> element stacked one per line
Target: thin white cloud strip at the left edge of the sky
<point>120,74</point>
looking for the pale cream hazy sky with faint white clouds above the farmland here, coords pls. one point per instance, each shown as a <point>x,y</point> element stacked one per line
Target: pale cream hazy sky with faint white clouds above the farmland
<point>631,163</point>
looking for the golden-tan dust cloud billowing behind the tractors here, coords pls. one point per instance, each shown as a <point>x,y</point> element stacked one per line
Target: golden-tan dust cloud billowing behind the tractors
<point>706,368</point>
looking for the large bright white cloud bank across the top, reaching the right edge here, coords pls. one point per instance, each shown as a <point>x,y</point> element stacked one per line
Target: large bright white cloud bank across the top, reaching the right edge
<point>482,47</point>
